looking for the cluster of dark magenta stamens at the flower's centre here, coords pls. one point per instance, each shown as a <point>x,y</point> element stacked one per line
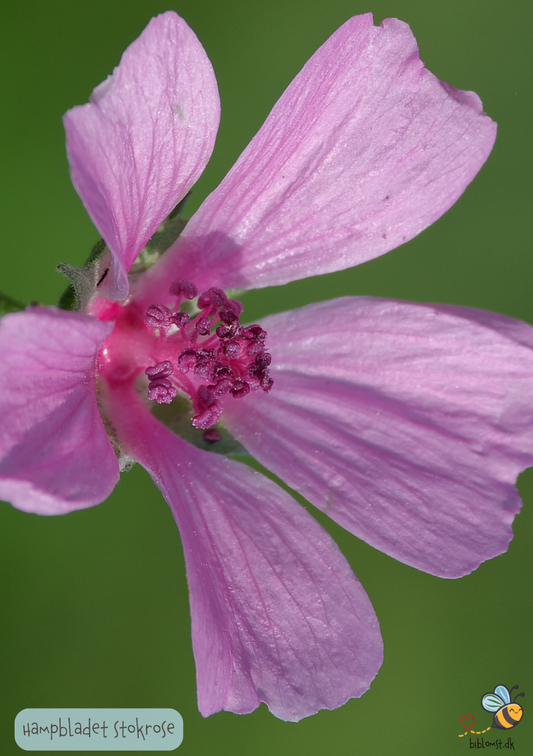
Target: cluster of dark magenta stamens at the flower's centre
<point>207,356</point>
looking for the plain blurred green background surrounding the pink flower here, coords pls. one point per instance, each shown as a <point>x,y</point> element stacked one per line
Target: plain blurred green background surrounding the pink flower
<point>94,604</point>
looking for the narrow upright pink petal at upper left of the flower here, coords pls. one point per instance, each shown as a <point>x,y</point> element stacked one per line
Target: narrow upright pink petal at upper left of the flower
<point>144,138</point>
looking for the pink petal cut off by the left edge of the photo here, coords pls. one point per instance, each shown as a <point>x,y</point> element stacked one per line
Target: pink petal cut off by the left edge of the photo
<point>55,456</point>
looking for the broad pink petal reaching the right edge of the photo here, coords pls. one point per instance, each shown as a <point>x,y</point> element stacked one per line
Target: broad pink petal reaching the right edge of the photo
<point>407,424</point>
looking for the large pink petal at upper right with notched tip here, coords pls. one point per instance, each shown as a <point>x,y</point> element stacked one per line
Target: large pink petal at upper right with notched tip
<point>363,151</point>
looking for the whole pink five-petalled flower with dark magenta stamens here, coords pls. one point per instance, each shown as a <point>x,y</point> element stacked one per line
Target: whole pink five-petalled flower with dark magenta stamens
<point>405,423</point>
